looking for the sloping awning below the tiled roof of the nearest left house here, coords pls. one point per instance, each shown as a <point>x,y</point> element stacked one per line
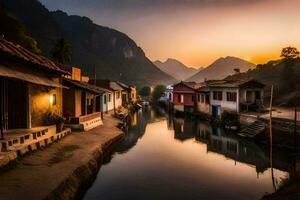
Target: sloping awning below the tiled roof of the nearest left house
<point>31,78</point>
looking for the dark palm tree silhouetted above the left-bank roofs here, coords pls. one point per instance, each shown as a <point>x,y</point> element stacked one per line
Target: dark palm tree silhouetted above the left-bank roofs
<point>62,51</point>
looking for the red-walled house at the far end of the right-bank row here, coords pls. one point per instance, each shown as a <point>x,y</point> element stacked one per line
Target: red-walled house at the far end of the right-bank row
<point>184,96</point>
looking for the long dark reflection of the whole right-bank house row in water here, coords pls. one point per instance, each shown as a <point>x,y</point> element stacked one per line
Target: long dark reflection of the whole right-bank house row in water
<point>231,147</point>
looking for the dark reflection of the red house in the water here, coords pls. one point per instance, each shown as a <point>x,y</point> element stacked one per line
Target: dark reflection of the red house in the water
<point>184,129</point>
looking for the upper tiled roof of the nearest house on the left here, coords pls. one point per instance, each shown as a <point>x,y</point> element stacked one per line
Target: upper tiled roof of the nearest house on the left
<point>15,50</point>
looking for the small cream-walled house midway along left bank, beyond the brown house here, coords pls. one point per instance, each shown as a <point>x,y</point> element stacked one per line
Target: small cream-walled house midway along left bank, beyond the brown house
<point>114,97</point>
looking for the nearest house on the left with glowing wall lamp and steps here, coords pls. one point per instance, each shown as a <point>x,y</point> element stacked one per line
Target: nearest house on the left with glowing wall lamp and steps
<point>30,90</point>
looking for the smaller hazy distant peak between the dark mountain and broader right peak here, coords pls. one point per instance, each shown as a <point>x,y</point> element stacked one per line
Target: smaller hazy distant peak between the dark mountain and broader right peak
<point>175,68</point>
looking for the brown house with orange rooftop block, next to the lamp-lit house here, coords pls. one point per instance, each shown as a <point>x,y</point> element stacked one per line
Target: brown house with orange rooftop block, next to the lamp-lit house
<point>82,102</point>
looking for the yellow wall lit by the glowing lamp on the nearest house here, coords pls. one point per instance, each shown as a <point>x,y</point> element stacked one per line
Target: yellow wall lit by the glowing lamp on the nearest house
<point>39,102</point>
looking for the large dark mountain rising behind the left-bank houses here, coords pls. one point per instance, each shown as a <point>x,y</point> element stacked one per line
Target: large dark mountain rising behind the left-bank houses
<point>113,54</point>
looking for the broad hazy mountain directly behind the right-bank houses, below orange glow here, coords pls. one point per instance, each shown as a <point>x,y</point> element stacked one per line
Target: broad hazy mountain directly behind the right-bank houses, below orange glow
<point>221,68</point>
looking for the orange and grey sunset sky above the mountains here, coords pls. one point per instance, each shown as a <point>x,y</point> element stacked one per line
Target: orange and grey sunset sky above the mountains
<point>197,32</point>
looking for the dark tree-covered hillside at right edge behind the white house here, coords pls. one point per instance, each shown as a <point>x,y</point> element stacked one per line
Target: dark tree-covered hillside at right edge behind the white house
<point>282,74</point>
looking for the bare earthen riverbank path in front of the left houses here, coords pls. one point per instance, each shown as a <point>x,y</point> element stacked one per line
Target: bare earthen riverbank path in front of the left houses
<point>64,170</point>
